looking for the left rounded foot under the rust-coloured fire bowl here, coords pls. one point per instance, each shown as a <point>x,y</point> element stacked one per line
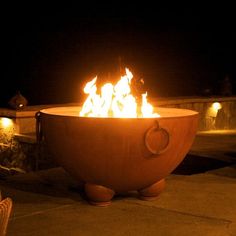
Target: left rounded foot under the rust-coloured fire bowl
<point>99,195</point>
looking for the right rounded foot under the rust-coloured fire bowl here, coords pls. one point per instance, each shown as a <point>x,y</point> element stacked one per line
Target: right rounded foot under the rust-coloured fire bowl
<point>153,191</point>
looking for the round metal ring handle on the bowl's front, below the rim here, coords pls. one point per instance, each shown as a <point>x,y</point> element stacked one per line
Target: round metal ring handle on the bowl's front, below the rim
<point>155,128</point>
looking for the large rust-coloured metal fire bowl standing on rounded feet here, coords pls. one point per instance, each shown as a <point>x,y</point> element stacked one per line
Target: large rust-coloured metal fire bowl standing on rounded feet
<point>115,155</point>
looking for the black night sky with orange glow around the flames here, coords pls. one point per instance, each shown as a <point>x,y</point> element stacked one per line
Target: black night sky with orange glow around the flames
<point>49,54</point>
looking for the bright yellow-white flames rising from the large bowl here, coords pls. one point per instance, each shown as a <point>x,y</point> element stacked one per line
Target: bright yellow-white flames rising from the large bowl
<point>115,100</point>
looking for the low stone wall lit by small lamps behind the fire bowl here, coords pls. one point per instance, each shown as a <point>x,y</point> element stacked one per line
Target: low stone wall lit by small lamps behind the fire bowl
<point>19,151</point>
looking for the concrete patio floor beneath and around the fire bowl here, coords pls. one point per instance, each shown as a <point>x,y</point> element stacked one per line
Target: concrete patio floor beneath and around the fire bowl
<point>200,201</point>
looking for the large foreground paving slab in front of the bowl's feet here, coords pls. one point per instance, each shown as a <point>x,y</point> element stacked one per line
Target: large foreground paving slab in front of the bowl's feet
<point>121,218</point>
